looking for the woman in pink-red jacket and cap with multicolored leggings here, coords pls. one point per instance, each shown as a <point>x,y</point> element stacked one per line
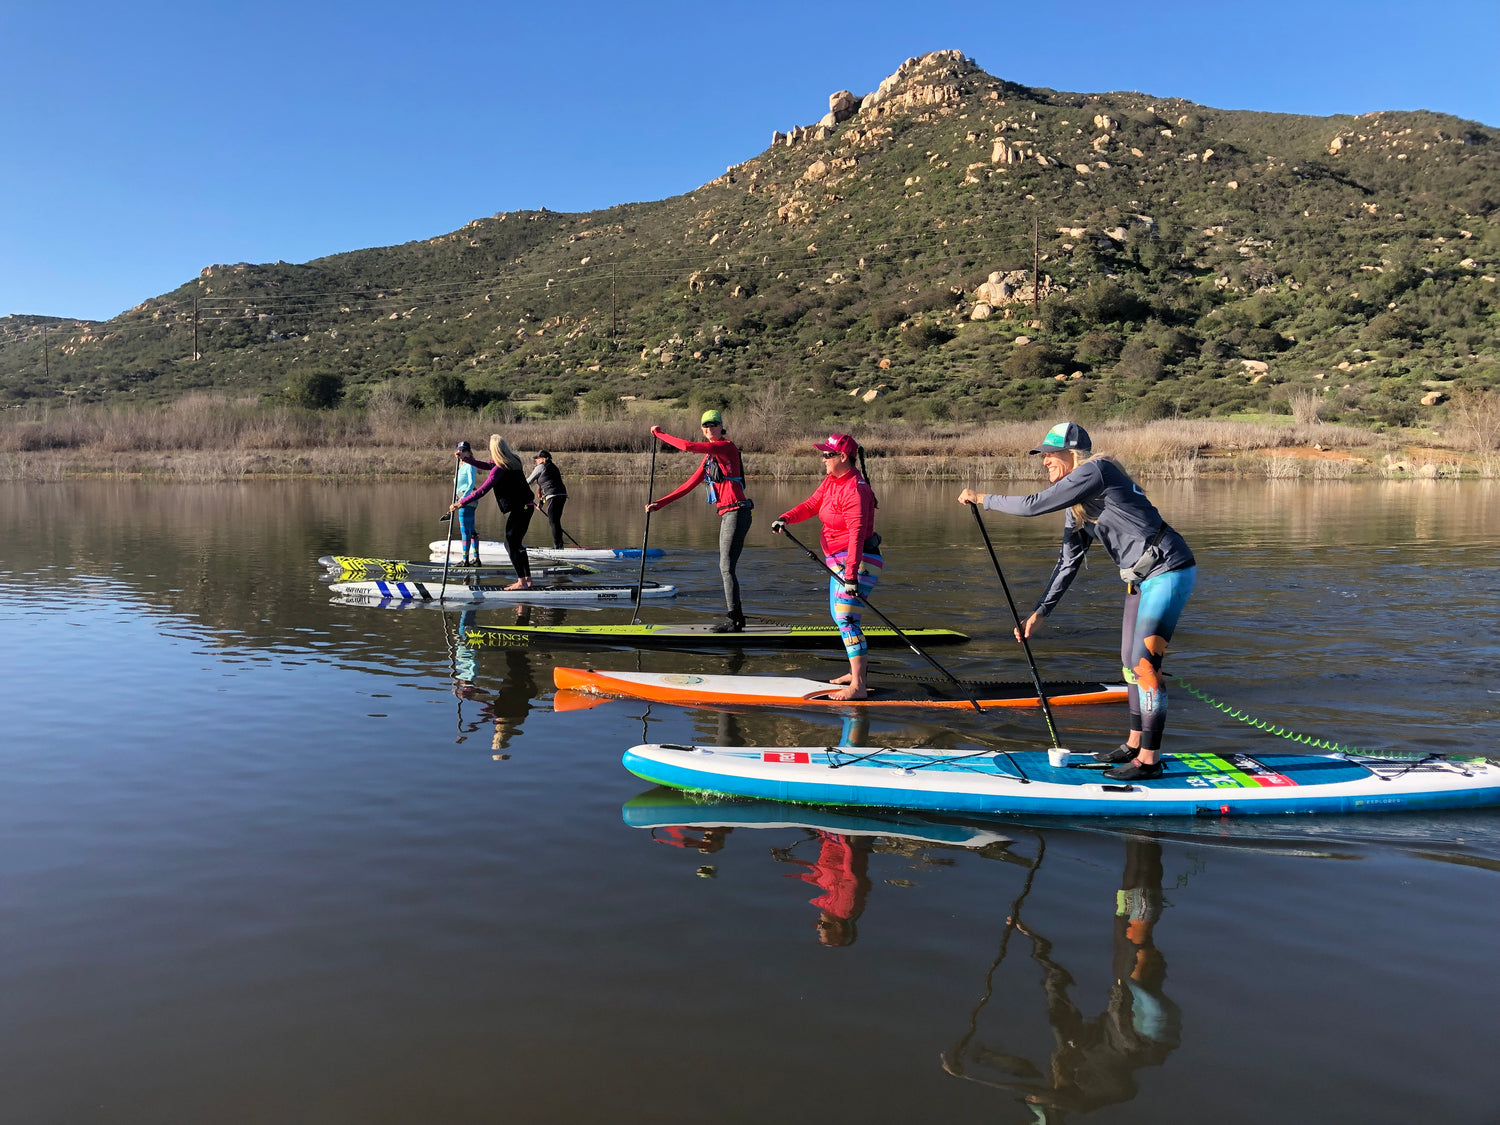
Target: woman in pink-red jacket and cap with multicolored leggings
<point>845,503</point>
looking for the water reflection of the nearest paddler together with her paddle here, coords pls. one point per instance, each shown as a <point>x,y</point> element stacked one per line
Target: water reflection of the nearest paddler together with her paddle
<point>1094,1061</point>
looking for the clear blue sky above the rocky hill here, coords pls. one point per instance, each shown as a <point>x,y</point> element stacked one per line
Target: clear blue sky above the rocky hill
<point>151,140</point>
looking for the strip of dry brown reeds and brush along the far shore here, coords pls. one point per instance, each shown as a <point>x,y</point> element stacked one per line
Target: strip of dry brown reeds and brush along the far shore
<point>218,439</point>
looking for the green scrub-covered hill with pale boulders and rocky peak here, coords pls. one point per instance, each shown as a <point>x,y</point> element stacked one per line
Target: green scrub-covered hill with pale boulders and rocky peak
<point>881,263</point>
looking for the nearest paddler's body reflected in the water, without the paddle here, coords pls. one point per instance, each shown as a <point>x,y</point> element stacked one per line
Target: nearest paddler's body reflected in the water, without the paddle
<point>1094,1063</point>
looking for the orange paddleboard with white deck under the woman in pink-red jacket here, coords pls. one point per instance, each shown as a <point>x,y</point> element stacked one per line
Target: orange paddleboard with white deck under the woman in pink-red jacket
<point>665,688</point>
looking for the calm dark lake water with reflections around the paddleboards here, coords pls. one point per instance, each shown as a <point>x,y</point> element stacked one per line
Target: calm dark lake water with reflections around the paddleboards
<point>265,859</point>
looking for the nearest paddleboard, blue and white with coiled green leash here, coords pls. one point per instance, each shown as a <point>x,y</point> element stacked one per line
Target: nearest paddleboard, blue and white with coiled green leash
<point>1028,784</point>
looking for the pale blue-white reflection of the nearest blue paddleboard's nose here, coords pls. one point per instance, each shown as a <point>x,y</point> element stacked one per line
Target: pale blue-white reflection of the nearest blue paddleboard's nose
<point>673,809</point>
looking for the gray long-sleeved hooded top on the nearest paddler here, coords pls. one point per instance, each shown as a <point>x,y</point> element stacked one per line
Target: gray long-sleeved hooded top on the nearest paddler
<point>1118,515</point>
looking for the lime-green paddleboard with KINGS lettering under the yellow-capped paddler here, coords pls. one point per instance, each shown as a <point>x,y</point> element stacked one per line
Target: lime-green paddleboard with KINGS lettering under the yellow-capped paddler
<point>695,635</point>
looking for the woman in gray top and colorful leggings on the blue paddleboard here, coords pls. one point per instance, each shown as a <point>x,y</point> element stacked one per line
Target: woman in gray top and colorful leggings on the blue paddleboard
<point>1159,569</point>
